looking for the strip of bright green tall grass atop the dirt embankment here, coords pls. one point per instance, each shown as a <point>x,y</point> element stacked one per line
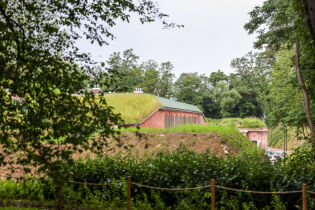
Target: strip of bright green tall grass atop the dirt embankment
<point>192,128</point>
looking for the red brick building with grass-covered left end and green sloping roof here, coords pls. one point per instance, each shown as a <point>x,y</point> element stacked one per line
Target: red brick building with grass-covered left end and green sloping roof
<point>154,112</point>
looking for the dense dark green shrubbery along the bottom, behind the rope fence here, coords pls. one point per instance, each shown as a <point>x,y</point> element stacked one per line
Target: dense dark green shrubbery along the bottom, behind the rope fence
<point>250,171</point>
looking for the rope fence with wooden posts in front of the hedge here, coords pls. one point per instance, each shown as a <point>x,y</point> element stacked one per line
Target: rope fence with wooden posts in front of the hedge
<point>304,190</point>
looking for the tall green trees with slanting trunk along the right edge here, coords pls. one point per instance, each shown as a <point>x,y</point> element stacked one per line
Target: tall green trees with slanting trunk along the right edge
<point>282,28</point>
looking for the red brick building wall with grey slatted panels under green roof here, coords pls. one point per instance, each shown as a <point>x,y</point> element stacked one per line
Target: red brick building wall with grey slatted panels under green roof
<point>172,118</point>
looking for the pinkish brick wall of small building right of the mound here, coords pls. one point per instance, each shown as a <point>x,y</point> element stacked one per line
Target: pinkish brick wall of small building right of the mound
<point>259,136</point>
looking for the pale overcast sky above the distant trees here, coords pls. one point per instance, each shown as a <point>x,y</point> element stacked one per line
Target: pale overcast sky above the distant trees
<point>213,35</point>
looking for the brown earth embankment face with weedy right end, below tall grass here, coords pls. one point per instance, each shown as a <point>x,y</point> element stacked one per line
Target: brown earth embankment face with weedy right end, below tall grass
<point>152,143</point>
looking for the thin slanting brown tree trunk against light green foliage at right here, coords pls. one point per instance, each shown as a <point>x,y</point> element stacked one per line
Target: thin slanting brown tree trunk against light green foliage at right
<point>305,95</point>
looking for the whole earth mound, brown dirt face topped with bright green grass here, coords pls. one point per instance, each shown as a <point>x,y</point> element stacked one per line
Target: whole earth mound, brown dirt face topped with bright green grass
<point>214,139</point>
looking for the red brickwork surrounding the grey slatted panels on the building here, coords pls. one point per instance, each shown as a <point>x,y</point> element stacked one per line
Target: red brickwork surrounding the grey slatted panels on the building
<point>157,120</point>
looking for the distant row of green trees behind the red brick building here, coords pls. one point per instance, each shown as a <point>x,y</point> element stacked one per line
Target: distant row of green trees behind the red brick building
<point>217,95</point>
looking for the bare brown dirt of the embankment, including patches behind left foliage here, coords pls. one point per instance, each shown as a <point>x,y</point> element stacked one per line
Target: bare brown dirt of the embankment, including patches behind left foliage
<point>148,144</point>
